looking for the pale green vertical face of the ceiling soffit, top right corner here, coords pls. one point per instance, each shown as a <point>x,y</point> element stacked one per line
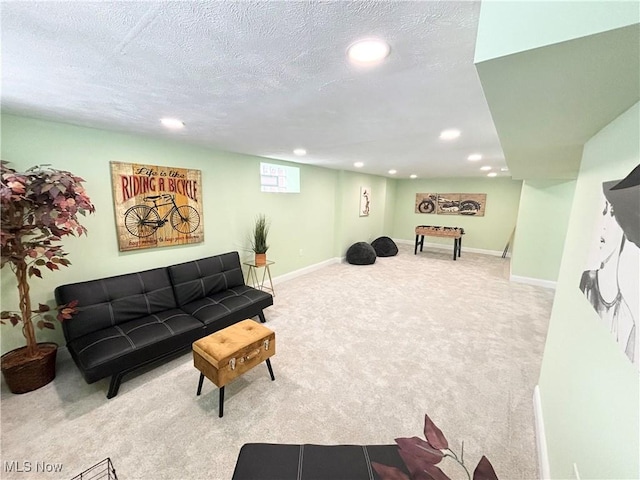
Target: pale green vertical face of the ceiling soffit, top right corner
<point>533,24</point>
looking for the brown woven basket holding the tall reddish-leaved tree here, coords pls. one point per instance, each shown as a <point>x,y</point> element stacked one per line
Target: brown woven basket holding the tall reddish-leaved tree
<point>24,374</point>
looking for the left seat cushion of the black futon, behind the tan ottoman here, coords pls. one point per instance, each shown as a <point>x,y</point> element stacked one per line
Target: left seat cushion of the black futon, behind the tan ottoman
<point>104,352</point>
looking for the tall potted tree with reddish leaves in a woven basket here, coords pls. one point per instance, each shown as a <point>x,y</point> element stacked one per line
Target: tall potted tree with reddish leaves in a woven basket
<point>39,207</point>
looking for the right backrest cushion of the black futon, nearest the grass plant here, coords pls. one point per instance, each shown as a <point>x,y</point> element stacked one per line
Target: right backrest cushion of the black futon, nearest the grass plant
<point>201,278</point>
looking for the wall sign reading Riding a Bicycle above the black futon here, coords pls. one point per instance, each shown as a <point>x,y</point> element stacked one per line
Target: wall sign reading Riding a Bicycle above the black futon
<point>156,206</point>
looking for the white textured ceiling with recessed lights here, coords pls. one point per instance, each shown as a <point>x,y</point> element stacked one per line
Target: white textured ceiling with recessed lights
<point>260,78</point>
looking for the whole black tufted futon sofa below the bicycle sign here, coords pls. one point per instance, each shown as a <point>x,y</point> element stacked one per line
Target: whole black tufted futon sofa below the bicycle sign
<point>127,321</point>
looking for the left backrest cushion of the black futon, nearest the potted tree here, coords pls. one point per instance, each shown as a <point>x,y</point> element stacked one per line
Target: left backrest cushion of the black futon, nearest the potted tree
<point>112,301</point>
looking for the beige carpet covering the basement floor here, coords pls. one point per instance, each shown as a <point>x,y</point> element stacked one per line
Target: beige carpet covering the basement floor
<point>362,353</point>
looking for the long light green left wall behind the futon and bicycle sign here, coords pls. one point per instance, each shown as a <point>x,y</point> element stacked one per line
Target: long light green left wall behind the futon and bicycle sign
<point>306,228</point>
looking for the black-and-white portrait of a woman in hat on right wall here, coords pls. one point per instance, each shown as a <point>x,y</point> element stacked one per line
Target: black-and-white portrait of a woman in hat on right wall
<point>611,281</point>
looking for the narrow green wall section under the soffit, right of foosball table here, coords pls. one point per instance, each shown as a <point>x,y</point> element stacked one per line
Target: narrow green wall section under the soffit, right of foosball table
<point>542,226</point>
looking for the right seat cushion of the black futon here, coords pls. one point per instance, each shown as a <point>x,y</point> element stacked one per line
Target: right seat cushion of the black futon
<point>243,300</point>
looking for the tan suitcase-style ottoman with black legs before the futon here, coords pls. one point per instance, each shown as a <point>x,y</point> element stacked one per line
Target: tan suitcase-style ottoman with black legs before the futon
<point>232,351</point>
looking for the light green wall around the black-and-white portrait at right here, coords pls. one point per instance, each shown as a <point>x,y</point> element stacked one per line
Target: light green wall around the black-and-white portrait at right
<point>589,389</point>
